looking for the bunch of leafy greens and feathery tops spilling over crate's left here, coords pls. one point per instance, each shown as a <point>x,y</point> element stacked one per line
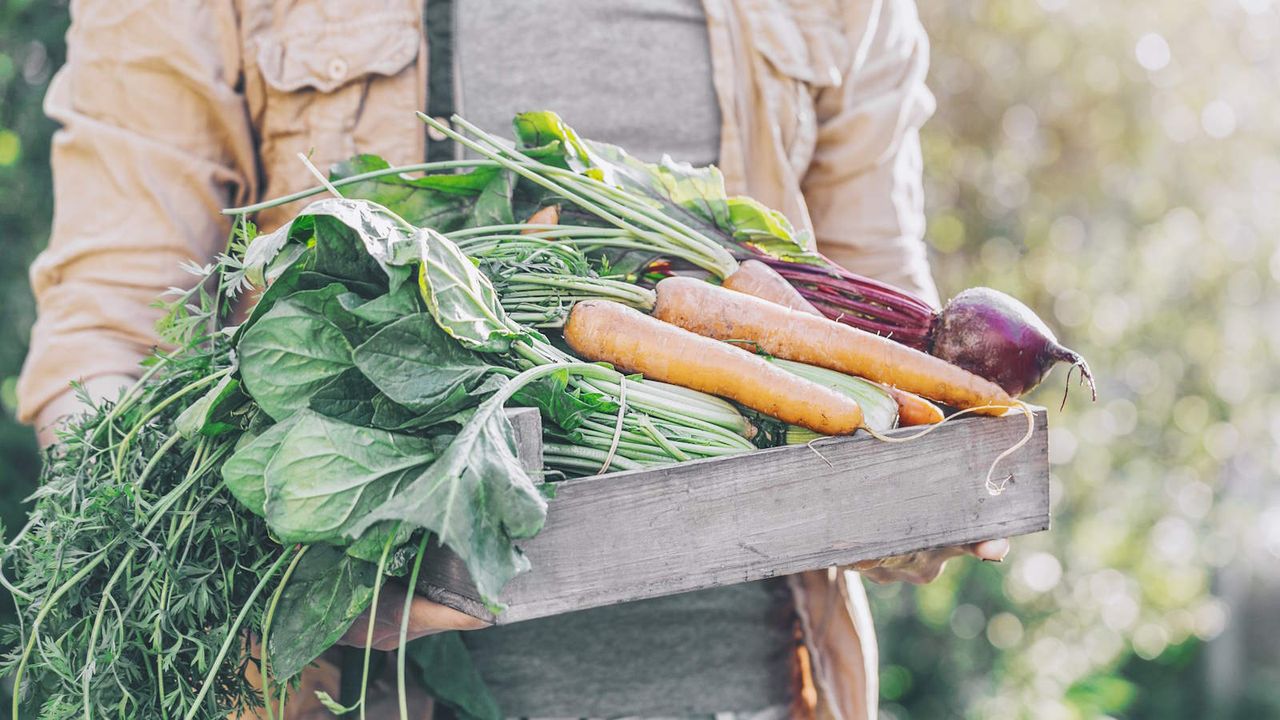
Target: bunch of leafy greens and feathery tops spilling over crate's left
<point>277,472</point>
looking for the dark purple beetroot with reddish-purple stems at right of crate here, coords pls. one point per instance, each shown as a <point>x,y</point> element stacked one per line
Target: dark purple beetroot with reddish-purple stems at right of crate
<point>981,330</point>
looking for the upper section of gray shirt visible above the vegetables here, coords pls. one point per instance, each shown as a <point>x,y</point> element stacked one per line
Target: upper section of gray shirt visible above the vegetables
<point>630,74</point>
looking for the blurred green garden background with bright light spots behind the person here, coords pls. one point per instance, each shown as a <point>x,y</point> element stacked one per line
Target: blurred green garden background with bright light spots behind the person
<point>1117,166</point>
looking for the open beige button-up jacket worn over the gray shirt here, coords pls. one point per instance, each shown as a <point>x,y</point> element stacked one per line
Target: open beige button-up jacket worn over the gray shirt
<point>172,111</point>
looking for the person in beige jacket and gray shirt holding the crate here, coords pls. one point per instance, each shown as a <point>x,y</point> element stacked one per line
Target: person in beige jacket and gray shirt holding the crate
<point>173,111</point>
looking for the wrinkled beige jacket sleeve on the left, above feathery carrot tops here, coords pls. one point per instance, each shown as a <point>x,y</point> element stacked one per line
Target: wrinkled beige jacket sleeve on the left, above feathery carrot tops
<point>154,142</point>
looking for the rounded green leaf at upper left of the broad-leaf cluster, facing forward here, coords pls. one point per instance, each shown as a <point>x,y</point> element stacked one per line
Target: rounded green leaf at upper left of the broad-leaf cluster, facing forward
<point>292,352</point>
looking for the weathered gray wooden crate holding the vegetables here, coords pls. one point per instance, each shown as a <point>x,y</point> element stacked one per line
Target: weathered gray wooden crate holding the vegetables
<point>707,523</point>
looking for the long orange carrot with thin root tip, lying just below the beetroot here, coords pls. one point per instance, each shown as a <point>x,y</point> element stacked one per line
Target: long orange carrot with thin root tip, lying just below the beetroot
<point>724,315</point>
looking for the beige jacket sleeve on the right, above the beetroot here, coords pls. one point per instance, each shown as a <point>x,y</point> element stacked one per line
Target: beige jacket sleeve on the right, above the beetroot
<point>865,184</point>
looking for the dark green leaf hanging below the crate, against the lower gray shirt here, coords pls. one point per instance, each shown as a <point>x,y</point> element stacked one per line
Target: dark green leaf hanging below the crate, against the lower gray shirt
<point>444,666</point>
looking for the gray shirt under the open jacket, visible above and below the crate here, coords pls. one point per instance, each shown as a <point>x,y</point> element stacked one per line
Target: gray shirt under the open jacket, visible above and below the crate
<point>637,75</point>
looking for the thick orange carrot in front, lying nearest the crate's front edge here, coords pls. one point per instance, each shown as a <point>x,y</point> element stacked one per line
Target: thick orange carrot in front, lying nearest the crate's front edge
<point>634,343</point>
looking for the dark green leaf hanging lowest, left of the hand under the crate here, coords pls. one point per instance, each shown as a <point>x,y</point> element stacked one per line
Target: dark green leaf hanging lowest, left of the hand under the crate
<point>323,598</point>
